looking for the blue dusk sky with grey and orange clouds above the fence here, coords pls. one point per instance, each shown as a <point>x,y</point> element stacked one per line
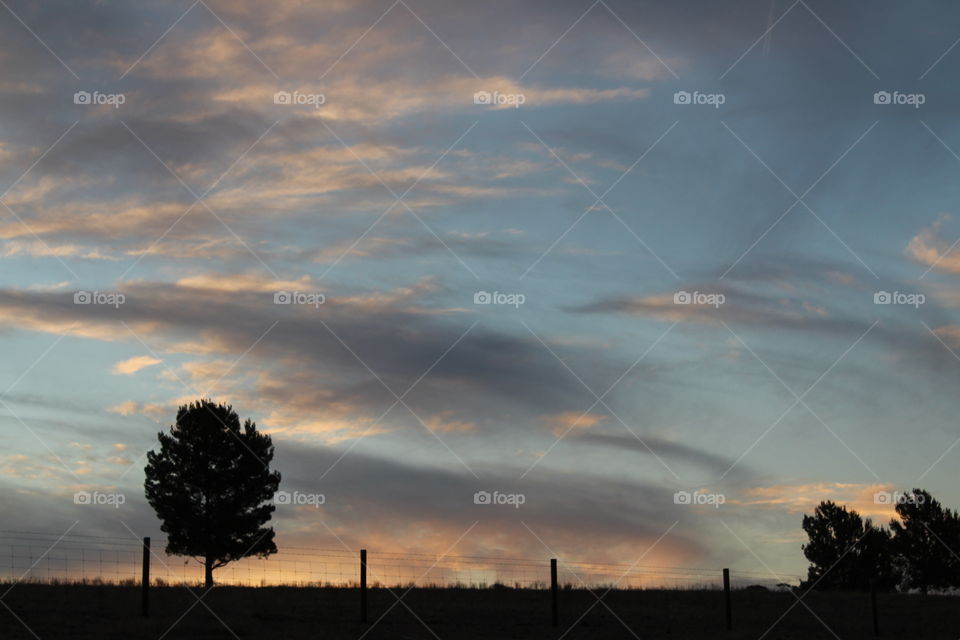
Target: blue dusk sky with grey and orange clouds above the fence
<point>667,273</point>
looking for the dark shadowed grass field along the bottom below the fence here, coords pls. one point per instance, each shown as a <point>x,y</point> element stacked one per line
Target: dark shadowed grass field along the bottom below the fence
<point>85,612</point>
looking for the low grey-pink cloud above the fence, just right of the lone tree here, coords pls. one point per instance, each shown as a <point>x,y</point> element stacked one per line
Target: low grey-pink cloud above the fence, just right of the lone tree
<point>562,508</point>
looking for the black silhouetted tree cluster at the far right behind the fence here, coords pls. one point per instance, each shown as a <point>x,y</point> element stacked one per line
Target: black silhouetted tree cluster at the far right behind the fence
<point>847,551</point>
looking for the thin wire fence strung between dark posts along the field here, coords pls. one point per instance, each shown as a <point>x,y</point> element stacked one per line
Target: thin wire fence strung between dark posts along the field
<point>43,557</point>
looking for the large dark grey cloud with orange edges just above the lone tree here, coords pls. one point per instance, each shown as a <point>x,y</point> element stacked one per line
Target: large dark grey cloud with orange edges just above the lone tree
<point>326,368</point>
